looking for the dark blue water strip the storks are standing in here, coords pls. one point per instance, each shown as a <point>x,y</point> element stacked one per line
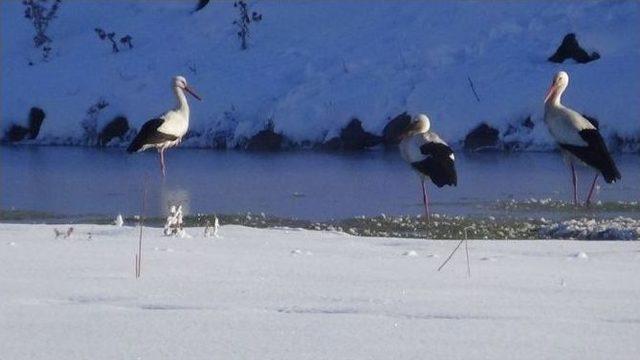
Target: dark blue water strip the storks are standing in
<point>304,185</point>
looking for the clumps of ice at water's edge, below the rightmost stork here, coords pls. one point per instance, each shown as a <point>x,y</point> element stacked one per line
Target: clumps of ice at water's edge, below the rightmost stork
<point>619,228</point>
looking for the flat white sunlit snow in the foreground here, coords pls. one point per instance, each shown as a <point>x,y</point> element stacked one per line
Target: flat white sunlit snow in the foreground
<point>252,295</point>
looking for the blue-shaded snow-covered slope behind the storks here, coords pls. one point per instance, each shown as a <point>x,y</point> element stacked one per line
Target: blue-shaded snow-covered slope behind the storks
<point>311,66</point>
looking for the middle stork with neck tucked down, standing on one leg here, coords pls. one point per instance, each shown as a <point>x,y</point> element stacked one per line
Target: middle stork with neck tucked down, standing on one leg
<point>428,155</point>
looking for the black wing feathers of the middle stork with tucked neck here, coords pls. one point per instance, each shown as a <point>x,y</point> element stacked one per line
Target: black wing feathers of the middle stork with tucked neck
<point>438,164</point>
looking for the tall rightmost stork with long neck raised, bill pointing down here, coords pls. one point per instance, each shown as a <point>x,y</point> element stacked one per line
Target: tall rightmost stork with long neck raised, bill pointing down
<point>579,140</point>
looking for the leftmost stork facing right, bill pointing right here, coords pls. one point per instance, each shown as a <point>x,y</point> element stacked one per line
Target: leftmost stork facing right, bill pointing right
<point>168,129</point>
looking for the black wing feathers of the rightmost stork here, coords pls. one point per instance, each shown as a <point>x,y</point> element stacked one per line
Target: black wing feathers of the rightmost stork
<point>595,154</point>
